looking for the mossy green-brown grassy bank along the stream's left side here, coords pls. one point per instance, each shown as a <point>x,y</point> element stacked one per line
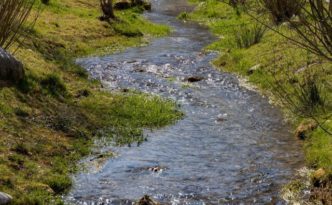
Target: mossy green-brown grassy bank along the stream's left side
<point>48,120</point>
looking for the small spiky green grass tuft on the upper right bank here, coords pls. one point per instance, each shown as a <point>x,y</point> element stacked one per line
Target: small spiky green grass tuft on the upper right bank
<point>248,35</point>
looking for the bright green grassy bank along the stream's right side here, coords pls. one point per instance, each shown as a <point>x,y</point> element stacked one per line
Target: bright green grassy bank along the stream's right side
<point>267,61</point>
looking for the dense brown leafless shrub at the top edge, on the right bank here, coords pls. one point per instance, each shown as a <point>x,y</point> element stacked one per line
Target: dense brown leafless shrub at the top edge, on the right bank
<point>282,10</point>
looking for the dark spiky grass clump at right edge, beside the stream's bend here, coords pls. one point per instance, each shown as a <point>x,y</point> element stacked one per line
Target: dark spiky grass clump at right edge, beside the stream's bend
<point>305,97</point>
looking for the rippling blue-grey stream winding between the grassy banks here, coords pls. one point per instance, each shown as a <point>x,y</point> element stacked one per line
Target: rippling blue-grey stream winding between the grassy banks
<point>232,146</point>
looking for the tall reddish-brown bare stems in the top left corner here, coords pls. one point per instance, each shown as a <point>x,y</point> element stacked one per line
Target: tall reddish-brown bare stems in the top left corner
<point>13,15</point>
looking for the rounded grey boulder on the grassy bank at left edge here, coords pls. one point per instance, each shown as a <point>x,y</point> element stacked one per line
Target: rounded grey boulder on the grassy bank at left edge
<point>11,70</point>
